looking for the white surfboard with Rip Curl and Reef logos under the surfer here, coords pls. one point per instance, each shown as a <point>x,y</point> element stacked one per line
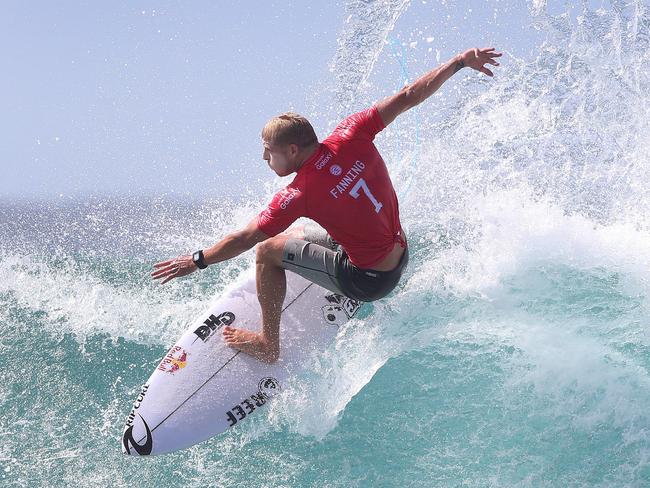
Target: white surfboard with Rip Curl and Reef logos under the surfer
<point>202,387</point>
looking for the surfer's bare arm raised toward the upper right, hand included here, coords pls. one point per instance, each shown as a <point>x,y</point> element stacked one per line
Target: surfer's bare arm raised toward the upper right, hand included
<point>425,86</point>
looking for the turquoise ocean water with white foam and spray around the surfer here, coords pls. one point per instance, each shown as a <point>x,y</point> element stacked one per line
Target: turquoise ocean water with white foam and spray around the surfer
<point>515,352</point>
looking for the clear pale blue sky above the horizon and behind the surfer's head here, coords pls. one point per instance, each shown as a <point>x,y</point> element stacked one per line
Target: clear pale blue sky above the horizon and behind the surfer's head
<point>159,98</point>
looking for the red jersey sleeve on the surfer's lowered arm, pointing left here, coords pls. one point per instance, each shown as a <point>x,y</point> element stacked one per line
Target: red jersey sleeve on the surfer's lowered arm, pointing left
<point>285,208</point>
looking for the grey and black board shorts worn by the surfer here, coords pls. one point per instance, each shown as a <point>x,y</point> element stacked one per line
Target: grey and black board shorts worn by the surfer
<point>323,261</point>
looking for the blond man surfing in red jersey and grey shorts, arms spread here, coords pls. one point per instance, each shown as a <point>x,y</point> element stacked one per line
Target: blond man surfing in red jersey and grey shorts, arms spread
<point>359,248</point>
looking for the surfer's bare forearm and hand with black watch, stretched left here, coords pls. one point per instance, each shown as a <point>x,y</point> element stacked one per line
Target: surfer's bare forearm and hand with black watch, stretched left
<point>230,246</point>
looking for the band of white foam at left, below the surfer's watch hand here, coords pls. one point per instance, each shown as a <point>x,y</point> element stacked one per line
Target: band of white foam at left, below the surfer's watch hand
<point>75,301</point>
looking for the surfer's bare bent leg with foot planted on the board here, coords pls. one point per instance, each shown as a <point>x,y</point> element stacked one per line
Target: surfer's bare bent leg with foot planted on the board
<point>271,284</point>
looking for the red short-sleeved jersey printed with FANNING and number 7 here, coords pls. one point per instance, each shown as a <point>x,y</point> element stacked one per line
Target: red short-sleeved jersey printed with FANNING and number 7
<point>344,186</point>
